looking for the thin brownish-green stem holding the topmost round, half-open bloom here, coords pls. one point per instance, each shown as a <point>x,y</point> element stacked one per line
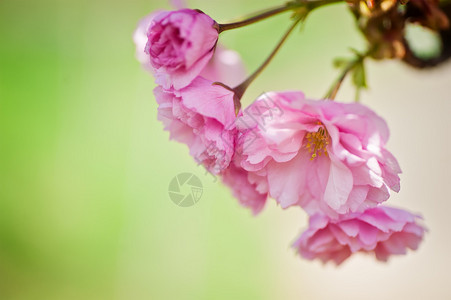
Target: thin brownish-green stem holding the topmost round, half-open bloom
<point>296,4</point>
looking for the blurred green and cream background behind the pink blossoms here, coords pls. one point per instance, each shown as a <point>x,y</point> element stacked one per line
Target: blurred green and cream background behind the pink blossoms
<point>85,165</point>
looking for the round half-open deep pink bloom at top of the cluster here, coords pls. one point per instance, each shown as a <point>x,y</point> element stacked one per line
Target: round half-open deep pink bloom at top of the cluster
<point>179,45</point>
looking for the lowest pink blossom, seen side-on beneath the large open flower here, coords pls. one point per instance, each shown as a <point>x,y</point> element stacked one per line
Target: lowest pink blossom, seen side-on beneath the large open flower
<point>383,231</point>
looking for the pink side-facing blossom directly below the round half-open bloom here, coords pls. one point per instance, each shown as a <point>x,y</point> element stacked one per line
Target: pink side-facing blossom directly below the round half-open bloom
<point>201,115</point>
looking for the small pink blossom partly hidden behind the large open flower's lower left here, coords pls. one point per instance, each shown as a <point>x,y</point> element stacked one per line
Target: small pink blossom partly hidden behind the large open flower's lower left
<point>244,188</point>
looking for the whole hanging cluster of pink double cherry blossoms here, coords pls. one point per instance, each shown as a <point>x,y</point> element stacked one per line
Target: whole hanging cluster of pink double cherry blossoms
<point>326,157</point>
